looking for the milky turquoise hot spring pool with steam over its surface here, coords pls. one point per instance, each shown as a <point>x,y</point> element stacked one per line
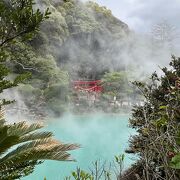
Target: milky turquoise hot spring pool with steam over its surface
<point>101,137</point>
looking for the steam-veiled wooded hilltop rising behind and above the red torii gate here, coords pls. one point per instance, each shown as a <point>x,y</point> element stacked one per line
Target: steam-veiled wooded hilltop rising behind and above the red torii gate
<point>81,37</point>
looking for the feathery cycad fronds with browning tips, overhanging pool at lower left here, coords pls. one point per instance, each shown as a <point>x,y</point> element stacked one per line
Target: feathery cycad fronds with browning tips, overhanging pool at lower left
<point>28,147</point>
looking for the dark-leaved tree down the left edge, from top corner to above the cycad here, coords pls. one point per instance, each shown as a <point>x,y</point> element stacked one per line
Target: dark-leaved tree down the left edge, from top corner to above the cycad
<point>18,22</point>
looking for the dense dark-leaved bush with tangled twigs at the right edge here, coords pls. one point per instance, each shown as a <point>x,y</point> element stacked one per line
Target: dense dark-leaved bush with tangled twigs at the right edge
<point>157,123</point>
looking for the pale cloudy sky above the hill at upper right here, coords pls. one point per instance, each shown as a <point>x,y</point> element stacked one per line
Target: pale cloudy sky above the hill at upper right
<point>140,15</point>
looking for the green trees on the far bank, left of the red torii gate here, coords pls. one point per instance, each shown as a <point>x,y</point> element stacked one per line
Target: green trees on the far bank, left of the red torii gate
<point>45,74</point>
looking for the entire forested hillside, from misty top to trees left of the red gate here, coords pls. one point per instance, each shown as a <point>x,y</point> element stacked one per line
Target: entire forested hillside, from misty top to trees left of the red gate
<point>78,41</point>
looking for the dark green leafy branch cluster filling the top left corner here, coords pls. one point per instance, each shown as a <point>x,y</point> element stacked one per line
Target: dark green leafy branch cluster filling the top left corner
<point>19,19</point>
